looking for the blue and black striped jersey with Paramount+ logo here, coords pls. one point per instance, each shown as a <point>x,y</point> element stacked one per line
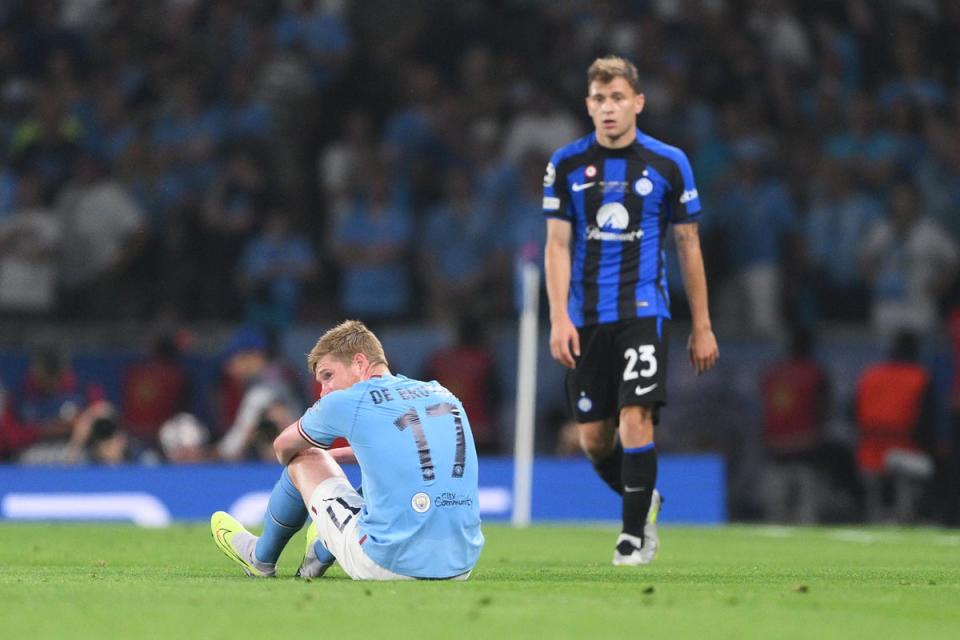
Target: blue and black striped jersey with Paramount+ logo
<point>620,203</point>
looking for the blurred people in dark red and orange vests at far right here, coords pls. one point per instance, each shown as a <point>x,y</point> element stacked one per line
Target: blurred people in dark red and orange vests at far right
<point>901,463</point>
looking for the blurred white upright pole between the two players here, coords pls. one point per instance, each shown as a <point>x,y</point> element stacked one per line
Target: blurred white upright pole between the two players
<point>526,397</point>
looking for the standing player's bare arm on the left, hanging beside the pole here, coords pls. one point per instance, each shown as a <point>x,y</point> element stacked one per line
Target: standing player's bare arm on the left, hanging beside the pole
<point>564,338</point>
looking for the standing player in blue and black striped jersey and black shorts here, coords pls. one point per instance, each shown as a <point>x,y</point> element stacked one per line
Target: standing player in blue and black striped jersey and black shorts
<point>608,199</point>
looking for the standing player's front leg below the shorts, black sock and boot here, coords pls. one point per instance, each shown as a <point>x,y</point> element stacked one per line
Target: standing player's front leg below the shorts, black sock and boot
<point>638,542</point>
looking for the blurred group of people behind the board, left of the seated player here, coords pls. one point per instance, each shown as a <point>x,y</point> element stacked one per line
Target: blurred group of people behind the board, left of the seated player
<point>55,418</point>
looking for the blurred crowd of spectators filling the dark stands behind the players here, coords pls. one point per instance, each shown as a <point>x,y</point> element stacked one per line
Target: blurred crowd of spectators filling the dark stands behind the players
<point>273,162</point>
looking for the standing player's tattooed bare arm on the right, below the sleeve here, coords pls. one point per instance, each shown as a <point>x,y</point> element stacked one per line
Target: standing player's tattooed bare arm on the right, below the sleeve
<point>702,345</point>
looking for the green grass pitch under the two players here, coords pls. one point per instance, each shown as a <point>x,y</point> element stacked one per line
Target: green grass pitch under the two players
<point>105,581</point>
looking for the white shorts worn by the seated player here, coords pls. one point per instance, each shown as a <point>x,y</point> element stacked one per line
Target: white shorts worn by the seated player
<point>335,507</point>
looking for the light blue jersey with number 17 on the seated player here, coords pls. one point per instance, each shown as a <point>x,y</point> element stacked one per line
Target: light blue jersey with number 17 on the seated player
<point>418,462</point>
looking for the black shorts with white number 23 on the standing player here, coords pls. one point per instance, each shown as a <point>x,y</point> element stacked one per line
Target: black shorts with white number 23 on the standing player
<point>621,364</point>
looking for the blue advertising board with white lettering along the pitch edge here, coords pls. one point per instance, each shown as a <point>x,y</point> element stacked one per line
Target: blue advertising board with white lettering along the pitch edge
<point>156,496</point>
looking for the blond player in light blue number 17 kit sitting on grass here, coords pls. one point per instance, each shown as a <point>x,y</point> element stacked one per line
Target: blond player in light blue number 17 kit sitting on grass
<point>419,516</point>
